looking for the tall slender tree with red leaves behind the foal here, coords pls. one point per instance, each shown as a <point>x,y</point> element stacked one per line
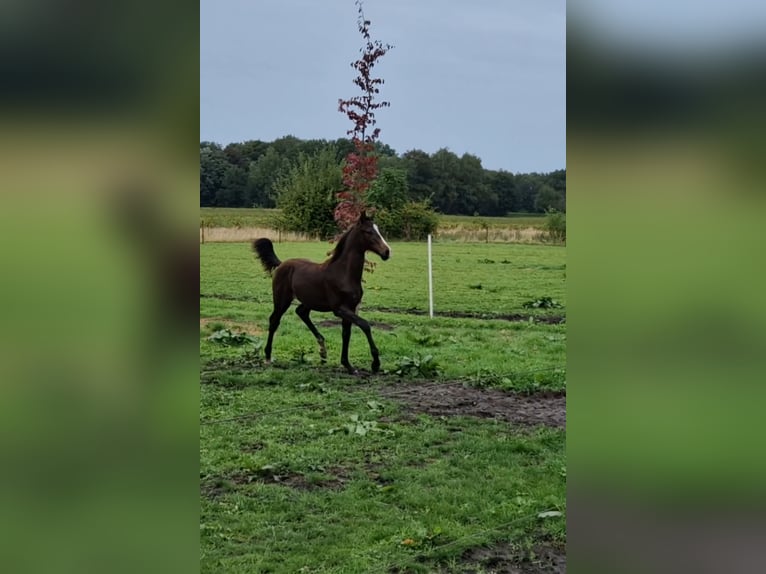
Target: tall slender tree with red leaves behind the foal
<point>361,166</point>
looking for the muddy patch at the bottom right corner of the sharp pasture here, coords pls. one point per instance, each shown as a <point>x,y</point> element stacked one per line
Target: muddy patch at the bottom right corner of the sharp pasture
<point>502,558</point>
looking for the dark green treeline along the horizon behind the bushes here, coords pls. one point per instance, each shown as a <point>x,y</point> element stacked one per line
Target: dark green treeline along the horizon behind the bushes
<point>245,175</point>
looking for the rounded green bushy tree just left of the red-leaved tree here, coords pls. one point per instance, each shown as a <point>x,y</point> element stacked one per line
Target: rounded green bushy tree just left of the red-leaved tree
<point>306,194</point>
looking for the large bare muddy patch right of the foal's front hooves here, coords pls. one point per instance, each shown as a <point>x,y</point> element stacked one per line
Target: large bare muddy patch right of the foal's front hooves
<point>548,408</point>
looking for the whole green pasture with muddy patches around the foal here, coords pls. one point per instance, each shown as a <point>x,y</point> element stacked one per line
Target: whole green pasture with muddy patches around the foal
<point>446,462</point>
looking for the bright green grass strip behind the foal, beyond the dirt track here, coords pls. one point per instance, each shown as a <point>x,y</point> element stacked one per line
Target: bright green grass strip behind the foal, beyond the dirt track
<point>509,275</point>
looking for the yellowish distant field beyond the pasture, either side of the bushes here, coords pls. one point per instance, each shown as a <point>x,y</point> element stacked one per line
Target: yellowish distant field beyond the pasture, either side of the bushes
<point>240,224</point>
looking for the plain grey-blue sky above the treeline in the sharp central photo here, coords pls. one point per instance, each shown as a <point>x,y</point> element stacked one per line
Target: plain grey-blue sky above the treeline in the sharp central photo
<point>487,77</point>
